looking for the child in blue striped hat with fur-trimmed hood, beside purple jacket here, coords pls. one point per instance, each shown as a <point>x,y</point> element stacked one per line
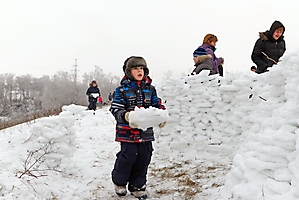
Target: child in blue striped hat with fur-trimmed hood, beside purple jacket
<point>202,61</point>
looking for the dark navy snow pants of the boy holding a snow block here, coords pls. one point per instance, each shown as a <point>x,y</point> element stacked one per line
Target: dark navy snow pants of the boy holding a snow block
<point>131,164</point>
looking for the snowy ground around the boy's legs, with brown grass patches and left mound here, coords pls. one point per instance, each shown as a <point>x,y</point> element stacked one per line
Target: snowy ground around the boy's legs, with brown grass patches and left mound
<point>86,168</point>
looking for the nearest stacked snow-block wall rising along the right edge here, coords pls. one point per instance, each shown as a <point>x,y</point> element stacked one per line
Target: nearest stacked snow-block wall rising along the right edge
<point>266,166</point>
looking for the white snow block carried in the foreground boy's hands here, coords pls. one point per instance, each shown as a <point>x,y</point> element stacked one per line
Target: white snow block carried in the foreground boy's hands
<point>145,118</point>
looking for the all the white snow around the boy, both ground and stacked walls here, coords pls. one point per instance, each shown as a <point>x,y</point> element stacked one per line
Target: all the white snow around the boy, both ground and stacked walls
<point>226,138</point>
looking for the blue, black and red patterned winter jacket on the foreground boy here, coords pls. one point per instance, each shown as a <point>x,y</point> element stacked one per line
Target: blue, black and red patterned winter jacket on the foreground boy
<point>127,96</point>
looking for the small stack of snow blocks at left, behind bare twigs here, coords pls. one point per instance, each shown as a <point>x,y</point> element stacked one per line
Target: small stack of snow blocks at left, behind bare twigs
<point>56,135</point>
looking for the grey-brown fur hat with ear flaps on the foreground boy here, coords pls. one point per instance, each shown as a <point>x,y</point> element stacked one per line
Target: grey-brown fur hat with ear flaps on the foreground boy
<point>135,61</point>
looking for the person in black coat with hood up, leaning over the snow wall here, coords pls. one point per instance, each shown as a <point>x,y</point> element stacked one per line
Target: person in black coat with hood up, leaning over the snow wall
<point>269,47</point>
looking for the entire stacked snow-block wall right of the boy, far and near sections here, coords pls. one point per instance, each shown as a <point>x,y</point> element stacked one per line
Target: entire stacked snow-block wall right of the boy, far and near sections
<point>257,109</point>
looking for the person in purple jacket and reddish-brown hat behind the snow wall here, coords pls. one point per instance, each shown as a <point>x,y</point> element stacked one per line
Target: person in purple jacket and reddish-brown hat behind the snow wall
<point>209,44</point>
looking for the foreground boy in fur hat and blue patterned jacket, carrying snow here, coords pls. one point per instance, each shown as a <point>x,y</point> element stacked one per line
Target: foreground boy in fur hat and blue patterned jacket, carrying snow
<point>136,145</point>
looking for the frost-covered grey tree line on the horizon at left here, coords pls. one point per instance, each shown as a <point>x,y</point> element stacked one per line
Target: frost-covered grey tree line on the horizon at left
<point>22,97</point>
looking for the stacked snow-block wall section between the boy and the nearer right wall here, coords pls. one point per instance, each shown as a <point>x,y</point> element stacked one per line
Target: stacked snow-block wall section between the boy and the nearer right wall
<point>202,107</point>
